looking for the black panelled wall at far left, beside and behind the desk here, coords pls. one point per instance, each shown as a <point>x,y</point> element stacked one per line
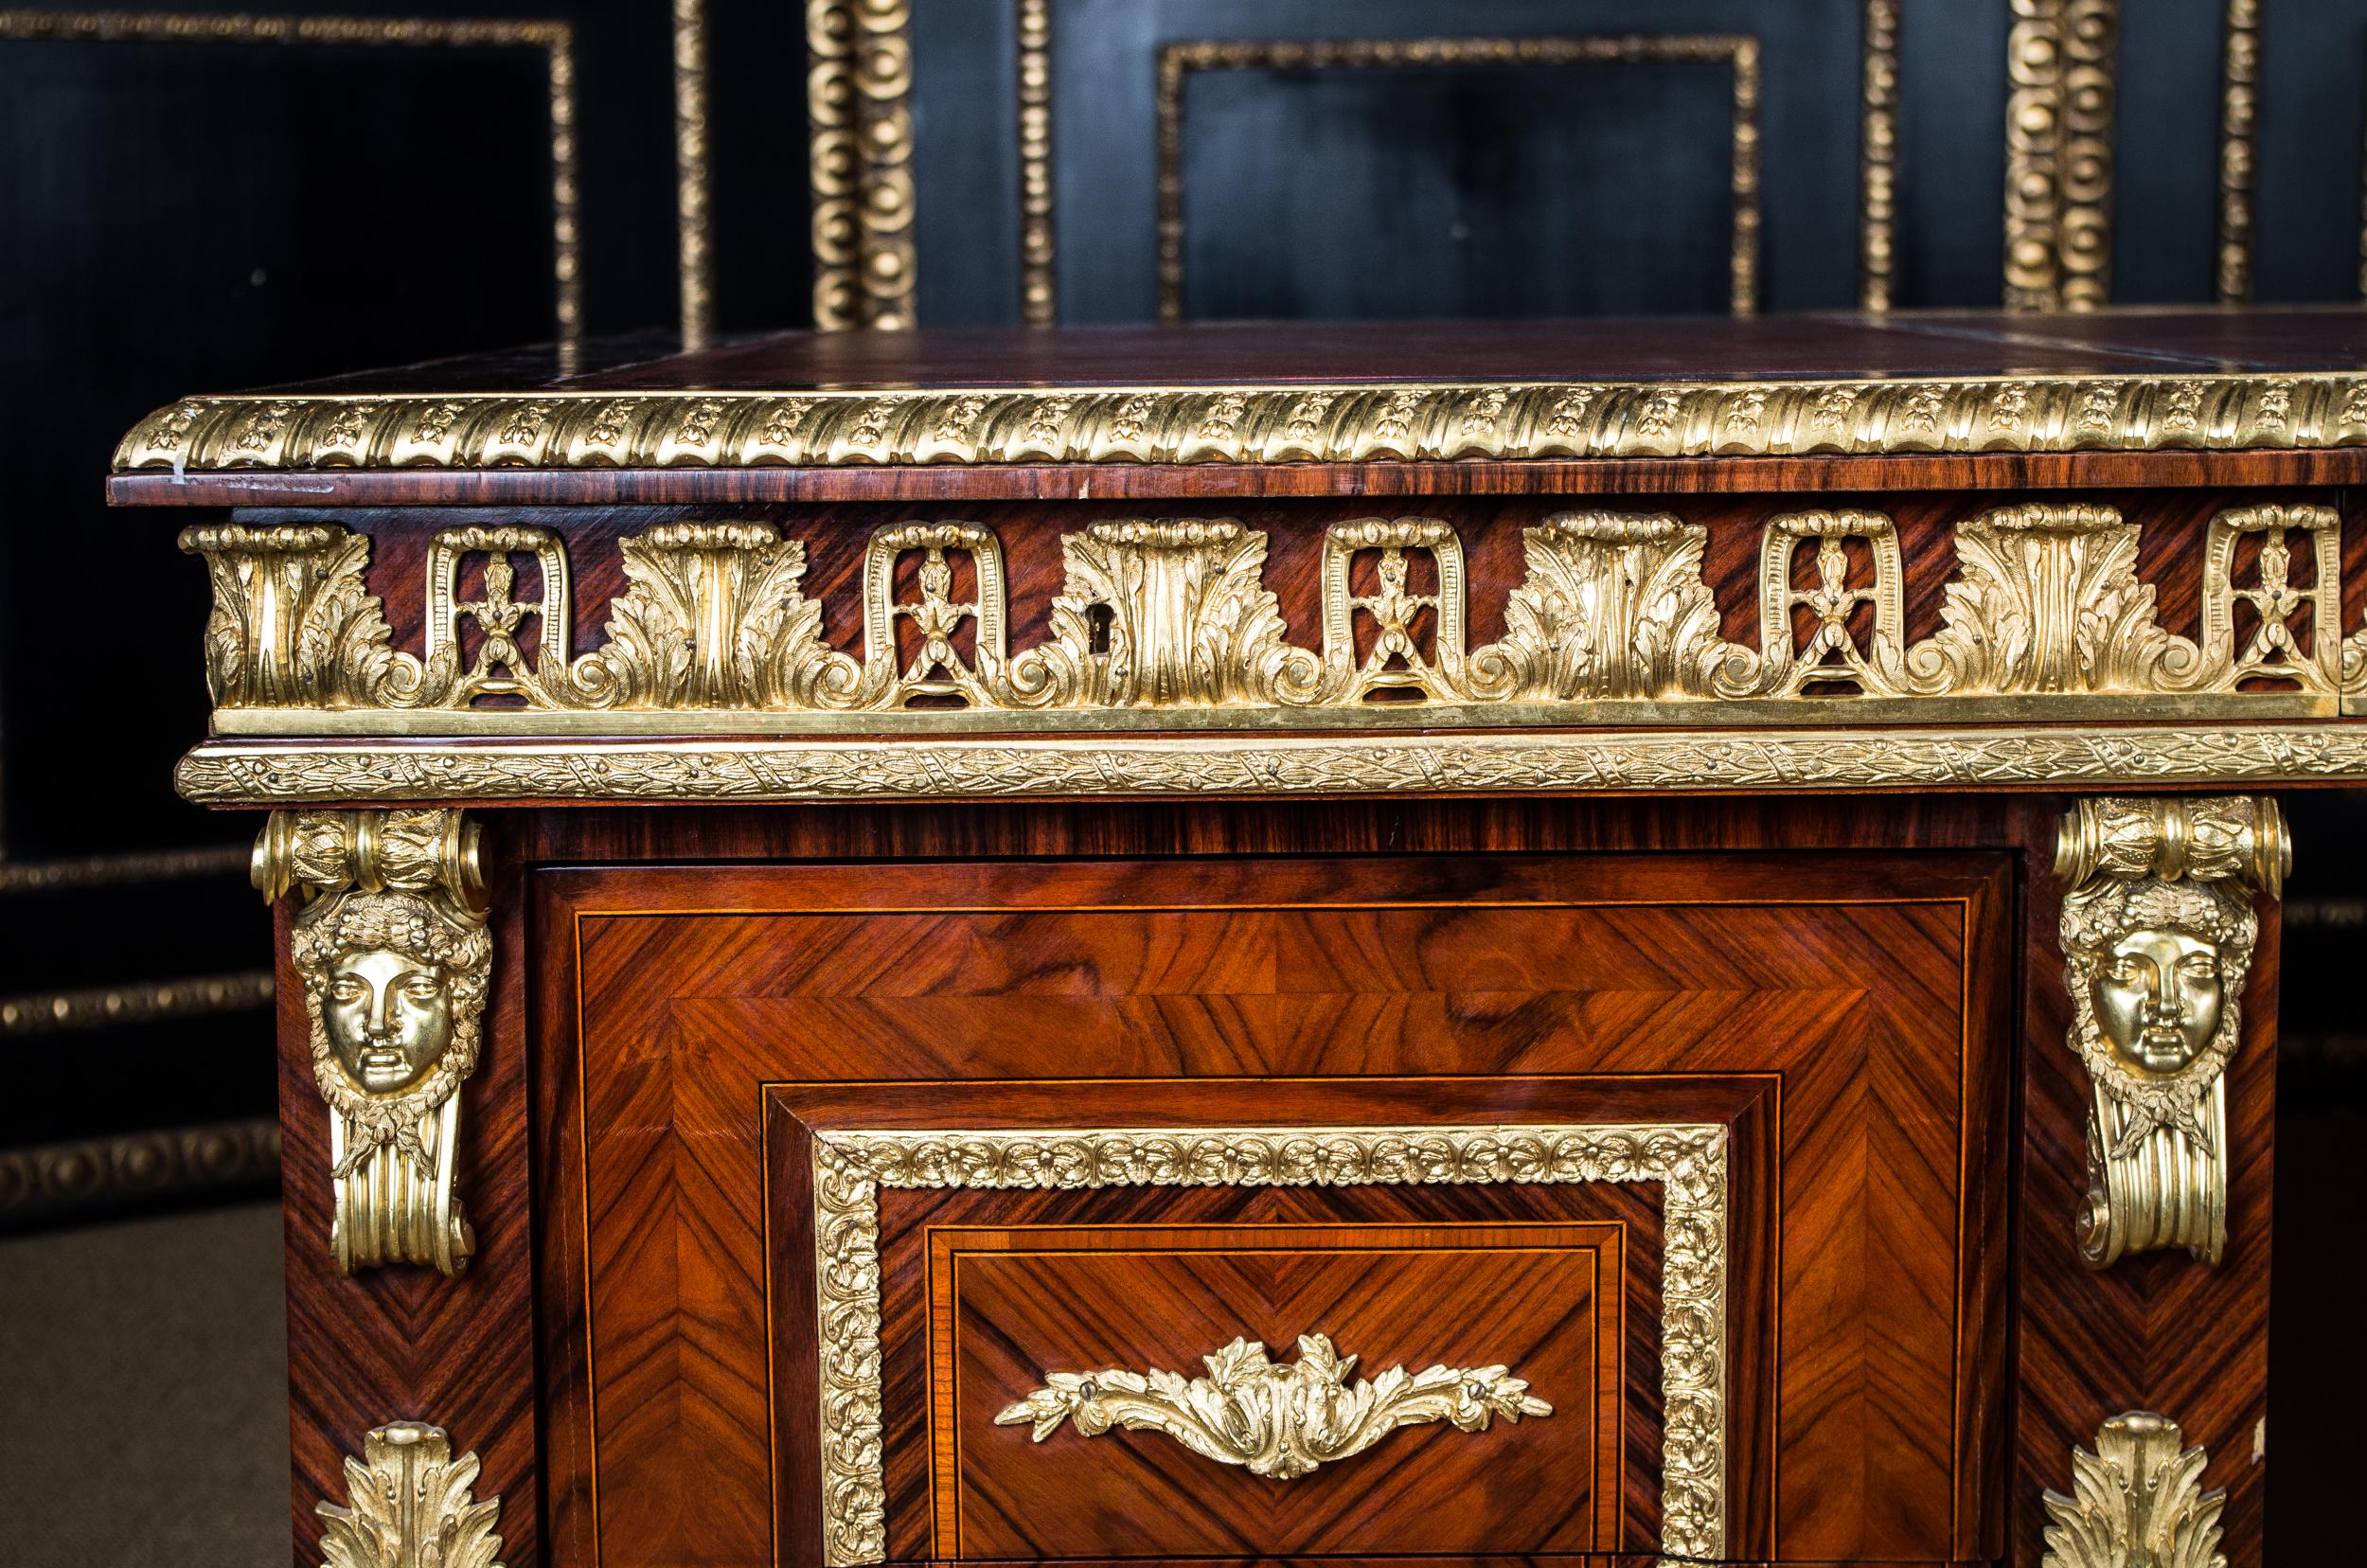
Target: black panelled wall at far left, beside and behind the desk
<point>200,217</point>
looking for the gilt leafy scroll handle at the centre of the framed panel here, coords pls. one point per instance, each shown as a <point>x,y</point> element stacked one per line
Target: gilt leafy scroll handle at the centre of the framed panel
<point>1282,1422</point>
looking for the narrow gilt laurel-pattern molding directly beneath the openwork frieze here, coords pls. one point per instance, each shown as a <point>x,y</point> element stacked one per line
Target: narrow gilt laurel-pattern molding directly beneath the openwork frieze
<point>328,773</point>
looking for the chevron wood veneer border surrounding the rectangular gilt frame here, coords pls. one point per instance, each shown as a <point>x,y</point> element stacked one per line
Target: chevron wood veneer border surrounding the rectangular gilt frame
<point>1838,1017</point>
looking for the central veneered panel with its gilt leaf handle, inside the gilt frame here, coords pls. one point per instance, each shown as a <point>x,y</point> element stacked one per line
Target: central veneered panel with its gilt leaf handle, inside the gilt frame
<point>1414,1311</point>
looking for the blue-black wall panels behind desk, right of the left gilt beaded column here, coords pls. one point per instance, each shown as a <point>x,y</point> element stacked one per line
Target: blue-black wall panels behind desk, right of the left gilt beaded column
<point>1518,191</point>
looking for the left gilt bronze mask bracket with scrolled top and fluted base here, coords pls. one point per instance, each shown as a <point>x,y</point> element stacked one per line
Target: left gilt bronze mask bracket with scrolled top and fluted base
<point>394,956</point>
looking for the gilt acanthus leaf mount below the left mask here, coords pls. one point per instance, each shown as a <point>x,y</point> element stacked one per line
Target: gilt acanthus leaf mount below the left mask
<point>411,1505</point>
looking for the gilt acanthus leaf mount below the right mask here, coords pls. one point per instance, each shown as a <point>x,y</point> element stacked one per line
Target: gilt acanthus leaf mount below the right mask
<point>2136,1503</point>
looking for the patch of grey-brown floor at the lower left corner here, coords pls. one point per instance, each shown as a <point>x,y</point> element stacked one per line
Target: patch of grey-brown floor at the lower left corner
<point>143,1394</point>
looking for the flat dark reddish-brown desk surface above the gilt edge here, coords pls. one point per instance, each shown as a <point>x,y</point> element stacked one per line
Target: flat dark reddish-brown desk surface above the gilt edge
<point>1379,354</point>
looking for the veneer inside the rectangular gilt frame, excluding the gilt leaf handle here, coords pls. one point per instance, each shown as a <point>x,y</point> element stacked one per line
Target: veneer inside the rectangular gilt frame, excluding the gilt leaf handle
<point>1007,1304</point>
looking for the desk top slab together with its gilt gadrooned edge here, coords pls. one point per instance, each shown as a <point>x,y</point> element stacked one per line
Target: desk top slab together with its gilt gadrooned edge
<point>804,416</point>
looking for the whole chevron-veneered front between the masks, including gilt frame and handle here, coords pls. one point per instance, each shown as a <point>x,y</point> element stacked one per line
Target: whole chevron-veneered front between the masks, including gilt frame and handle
<point>1279,1207</point>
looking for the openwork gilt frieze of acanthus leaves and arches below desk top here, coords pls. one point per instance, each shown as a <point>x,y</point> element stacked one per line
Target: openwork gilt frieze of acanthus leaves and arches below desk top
<point>1170,622</point>
